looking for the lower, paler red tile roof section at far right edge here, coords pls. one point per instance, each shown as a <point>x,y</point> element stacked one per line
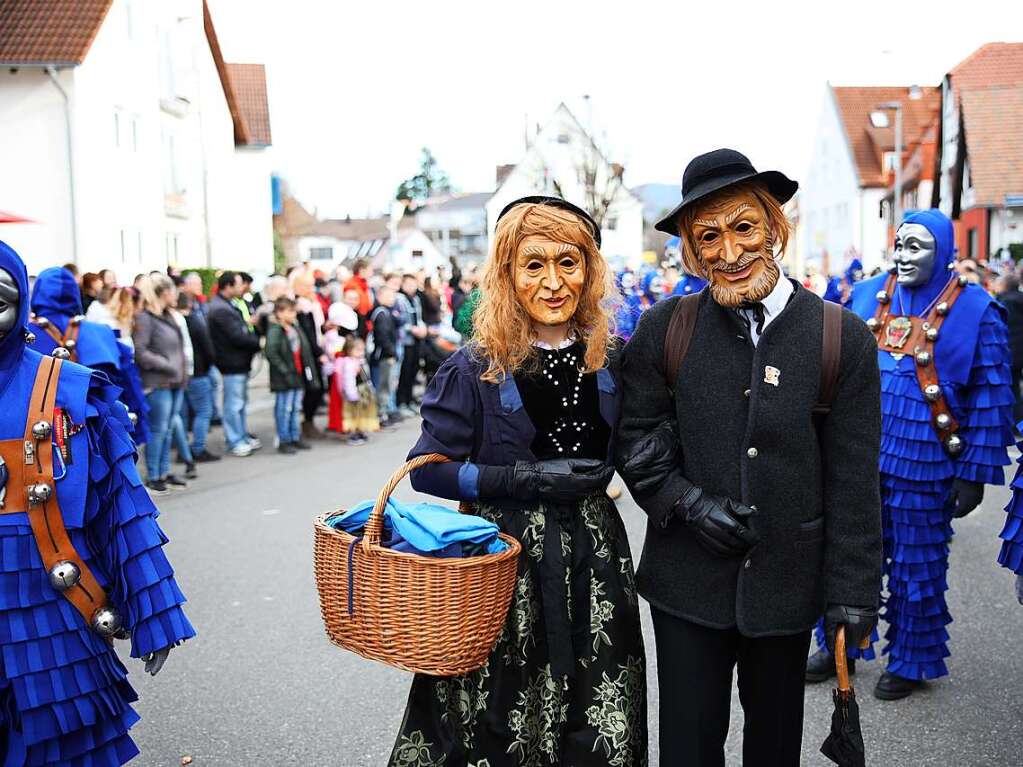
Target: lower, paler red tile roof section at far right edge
<point>994,122</point>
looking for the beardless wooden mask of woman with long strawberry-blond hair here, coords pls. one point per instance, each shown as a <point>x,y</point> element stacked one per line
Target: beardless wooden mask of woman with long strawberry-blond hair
<point>549,280</point>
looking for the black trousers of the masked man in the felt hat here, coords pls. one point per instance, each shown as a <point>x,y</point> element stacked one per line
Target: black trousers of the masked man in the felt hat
<point>694,672</point>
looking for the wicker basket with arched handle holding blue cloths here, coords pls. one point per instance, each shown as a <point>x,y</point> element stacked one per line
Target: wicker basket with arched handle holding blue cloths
<point>423,614</point>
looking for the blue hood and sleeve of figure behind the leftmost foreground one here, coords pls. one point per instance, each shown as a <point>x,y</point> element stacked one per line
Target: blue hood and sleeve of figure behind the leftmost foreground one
<point>56,297</point>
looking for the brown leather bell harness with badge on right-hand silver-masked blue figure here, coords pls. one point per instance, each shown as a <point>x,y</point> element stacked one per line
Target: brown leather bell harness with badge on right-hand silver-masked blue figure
<point>901,335</point>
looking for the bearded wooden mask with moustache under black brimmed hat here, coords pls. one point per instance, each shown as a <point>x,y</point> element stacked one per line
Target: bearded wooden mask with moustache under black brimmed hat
<point>735,245</point>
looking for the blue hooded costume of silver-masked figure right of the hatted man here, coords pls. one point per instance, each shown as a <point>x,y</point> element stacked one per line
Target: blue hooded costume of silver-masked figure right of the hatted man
<point>971,357</point>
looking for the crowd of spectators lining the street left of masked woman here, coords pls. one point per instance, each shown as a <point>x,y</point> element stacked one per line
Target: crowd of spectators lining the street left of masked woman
<point>359,344</point>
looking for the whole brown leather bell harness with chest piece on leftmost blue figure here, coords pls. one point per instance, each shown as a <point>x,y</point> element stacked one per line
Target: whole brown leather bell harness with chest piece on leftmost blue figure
<point>31,489</point>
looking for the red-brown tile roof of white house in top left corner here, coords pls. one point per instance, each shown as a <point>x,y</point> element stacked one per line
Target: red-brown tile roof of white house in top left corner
<point>50,32</point>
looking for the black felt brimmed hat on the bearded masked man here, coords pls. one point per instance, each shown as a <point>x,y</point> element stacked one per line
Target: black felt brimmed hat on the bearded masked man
<point>713,172</point>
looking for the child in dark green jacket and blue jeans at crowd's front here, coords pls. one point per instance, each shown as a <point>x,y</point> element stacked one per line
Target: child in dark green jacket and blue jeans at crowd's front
<point>291,357</point>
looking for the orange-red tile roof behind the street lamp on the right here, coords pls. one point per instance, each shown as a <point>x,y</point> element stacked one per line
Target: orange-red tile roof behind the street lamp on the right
<point>869,144</point>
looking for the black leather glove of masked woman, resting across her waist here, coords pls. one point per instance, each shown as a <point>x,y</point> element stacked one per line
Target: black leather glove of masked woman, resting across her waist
<point>559,481</point>
